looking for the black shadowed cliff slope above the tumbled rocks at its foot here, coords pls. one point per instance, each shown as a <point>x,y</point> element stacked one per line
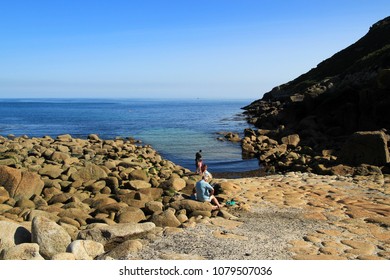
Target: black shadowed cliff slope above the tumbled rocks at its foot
<point>346,93</point>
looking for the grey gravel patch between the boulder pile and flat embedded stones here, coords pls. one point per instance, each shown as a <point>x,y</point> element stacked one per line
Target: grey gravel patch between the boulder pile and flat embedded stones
<point>264,233</point>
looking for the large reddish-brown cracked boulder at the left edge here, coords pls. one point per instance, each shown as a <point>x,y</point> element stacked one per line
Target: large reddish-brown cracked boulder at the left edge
<point>20,184</point>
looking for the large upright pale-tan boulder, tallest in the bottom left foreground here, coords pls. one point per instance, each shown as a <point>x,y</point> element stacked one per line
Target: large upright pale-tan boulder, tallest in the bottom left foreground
<point>51,237</point>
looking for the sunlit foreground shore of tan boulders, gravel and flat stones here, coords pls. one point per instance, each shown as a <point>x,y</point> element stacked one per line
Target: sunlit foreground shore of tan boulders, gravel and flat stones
<point>68,198</point>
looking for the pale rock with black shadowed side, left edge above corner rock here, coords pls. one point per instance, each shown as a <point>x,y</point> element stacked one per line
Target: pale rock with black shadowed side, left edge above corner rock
<point>12,234</point>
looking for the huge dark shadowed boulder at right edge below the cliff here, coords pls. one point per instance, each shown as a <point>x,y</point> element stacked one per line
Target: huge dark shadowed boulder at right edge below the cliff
<point>366,147</point>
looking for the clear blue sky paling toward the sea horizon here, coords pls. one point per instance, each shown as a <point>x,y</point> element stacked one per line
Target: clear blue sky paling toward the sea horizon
<point>186,48</point>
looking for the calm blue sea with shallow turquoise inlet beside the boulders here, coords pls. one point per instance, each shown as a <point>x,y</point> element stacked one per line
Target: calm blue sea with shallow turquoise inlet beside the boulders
<point>175,128</point>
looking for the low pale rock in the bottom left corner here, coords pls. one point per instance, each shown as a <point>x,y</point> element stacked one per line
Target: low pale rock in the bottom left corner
<point>25,251</point>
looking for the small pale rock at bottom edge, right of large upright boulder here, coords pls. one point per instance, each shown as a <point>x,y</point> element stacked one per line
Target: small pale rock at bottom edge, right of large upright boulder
<point>85,249</point>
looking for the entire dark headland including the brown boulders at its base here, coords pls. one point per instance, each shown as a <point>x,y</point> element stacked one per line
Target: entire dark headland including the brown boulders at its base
<point>331,120</point>
